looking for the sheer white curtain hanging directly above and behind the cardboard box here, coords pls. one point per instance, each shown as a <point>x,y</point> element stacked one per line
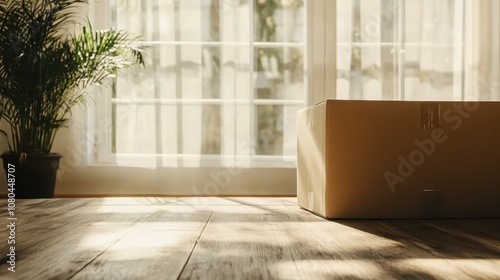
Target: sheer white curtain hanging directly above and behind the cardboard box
<point>417,49</point>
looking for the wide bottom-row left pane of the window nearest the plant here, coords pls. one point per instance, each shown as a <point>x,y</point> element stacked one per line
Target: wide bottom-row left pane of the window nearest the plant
<point>167,129</point>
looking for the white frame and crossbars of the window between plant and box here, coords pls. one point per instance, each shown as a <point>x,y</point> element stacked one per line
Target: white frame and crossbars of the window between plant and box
<point>99,132</point>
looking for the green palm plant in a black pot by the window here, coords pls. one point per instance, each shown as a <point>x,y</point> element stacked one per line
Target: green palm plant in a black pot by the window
<point>45,68</point>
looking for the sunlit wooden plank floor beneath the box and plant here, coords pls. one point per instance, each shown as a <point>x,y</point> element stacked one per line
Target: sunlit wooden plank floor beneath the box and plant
<point>237,238</point>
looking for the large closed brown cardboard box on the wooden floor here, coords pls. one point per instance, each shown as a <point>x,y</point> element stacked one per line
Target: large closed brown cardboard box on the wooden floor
<point>399,159</point>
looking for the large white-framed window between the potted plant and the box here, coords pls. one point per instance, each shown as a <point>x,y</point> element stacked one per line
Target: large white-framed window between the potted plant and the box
<point>223,82</point>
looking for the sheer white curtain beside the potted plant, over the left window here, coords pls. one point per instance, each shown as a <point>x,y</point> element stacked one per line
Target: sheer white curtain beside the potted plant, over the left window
<point>177,105</point>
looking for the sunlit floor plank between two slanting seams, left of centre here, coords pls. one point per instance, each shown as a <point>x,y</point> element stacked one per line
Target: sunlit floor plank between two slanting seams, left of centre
<point>158,248</point>
